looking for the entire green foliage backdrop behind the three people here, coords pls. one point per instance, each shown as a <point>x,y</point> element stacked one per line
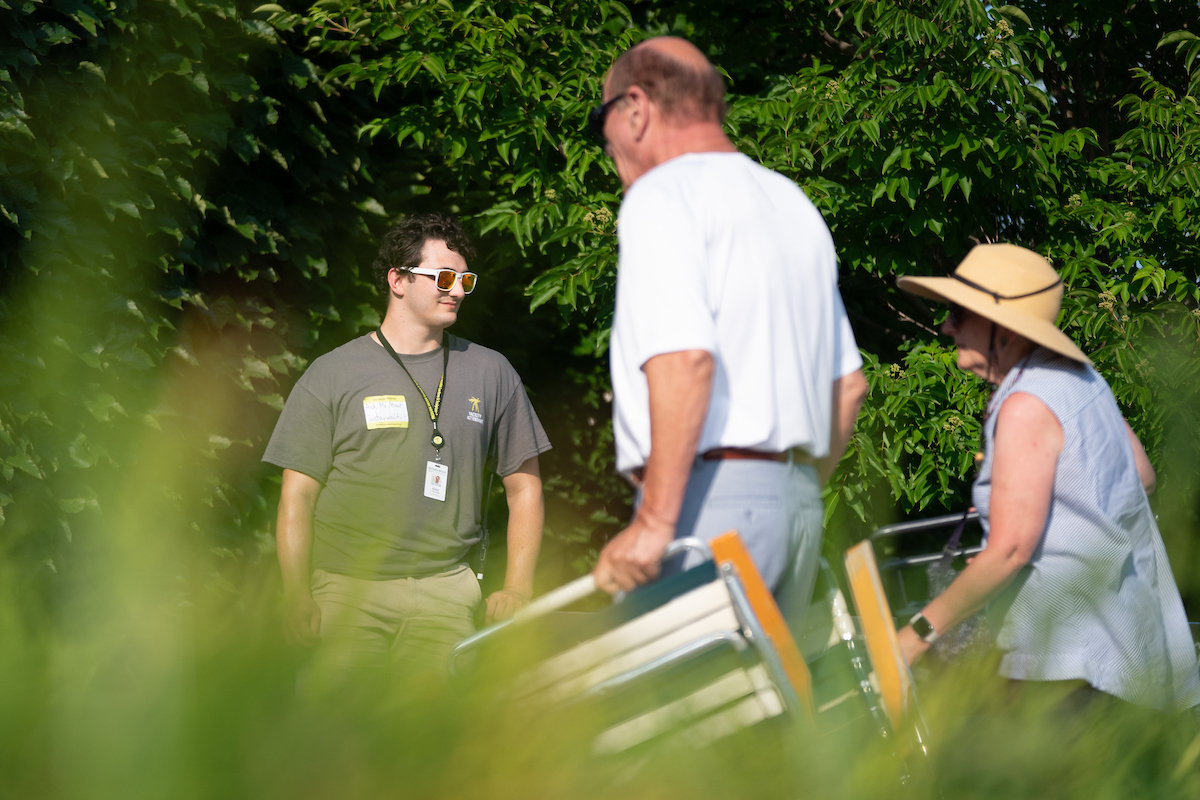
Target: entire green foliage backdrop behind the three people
<point>191,195</point>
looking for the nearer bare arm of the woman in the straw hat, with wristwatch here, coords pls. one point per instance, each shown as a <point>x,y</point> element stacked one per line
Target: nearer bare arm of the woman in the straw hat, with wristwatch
<point>1028,443</point>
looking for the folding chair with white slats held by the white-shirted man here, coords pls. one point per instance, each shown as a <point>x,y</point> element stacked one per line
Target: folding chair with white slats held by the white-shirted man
<point>688,660</point>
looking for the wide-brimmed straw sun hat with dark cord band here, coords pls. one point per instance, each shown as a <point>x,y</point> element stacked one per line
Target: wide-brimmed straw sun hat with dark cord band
<point>1010,286</point>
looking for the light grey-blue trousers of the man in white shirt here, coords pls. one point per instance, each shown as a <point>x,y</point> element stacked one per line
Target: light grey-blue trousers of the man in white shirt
<point>777,510</point>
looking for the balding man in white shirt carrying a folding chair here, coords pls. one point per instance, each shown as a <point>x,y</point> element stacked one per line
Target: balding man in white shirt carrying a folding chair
<point>735,371</point>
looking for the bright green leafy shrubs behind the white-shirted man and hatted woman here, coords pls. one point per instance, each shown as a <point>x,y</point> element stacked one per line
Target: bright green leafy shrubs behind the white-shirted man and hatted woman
<point>917,130</point>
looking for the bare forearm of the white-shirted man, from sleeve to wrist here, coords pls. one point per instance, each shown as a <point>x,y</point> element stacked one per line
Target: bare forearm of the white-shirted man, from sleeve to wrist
<point>680,387</point>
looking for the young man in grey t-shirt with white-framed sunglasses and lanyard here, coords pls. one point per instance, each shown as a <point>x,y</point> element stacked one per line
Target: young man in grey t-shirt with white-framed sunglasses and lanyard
<point>385,444</point>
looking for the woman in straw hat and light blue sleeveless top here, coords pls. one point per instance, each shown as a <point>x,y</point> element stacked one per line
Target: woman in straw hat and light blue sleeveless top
<point>1073,568</point>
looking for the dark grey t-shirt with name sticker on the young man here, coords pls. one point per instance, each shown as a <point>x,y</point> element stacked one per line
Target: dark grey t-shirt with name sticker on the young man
<point>343,425</point>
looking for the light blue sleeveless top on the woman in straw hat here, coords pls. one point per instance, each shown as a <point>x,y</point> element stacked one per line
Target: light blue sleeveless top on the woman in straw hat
<point>1097,601</point>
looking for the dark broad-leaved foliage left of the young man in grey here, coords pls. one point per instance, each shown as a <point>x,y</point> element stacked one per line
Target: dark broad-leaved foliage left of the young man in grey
<point>187,210</point>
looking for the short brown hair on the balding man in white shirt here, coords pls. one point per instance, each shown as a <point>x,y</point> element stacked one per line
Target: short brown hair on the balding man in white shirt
<point>685,94</point>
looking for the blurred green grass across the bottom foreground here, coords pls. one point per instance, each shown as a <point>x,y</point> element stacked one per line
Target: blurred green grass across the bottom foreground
<point>139,691</point>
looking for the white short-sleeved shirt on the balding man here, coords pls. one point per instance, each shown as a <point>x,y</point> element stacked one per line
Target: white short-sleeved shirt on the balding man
<point>719,254</point>
